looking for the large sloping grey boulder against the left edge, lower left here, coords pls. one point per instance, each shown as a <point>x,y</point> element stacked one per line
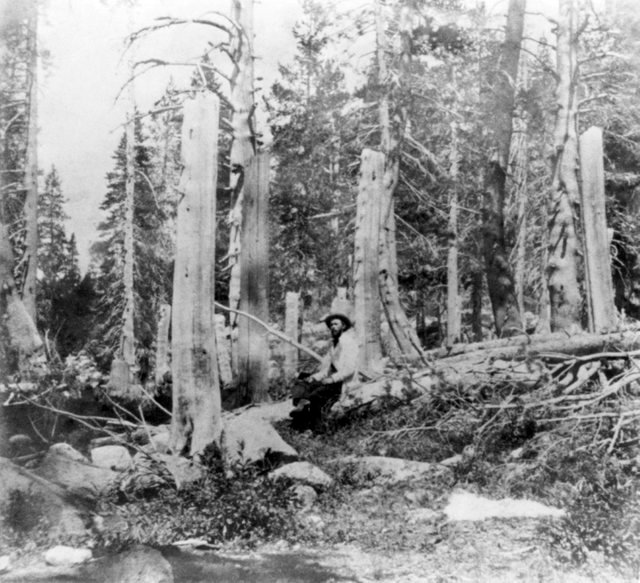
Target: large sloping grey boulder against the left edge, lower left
<point>47,499</point>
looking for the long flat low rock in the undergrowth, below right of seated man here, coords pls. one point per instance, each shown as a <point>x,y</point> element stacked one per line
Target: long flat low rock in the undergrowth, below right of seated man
<point>388,470</point>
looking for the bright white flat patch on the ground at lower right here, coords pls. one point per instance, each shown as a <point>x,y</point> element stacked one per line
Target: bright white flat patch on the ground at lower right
<point>467,506</point>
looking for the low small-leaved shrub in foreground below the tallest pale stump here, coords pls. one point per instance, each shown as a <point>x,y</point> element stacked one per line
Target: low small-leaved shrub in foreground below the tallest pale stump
<point>239,504</point>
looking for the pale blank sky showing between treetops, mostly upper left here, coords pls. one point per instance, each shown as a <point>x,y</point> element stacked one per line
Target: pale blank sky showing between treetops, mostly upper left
<point>79,117</point>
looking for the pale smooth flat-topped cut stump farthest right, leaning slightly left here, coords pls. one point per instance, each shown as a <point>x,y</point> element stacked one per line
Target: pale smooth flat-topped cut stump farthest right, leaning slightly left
<point>602,310</point>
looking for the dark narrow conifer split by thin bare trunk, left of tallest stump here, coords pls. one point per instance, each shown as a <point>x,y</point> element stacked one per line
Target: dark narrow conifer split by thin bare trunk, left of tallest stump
<point>151,267</point>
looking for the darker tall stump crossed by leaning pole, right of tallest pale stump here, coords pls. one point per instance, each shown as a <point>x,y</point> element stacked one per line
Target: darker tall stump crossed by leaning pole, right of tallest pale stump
<point>253,346</point>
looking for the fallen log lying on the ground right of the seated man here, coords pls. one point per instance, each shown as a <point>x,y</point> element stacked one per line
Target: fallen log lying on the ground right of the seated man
<point>523,361</point>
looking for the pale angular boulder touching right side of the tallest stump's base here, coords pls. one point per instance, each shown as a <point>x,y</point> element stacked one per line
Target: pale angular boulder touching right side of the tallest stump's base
<point>249,438</point>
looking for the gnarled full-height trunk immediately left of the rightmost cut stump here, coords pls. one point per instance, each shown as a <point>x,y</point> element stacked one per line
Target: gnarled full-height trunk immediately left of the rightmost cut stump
<point>564,291</point>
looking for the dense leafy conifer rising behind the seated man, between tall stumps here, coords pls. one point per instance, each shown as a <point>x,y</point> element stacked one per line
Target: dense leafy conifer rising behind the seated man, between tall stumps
<point>312,183</point>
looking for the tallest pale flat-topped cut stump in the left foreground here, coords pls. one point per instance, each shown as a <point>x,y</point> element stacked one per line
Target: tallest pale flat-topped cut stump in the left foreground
<point>196,420</point>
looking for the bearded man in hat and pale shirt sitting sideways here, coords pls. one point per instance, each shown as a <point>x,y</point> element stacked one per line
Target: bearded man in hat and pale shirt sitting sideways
<point>339,369</point>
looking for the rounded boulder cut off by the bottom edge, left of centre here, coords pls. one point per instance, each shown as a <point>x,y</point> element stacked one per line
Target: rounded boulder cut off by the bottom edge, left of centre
<point>139,565</point>
